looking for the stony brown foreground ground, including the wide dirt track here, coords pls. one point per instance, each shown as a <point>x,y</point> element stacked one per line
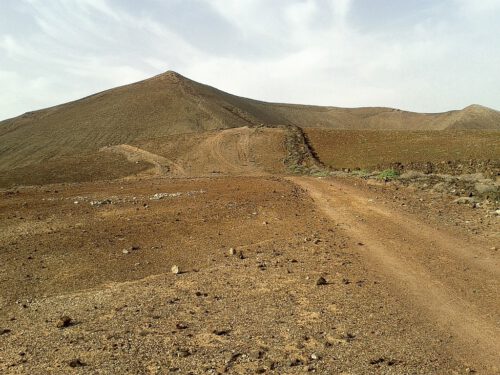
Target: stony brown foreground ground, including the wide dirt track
<point>274,277</point>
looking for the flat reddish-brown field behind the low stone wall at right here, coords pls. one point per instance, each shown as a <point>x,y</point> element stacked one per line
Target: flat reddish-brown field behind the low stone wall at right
<point>370,149</point>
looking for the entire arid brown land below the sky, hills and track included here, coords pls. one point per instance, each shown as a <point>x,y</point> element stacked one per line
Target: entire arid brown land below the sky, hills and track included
<point>167,227</point>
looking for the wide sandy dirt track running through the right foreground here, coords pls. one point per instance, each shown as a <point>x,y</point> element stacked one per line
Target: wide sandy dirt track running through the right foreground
<point>447,278</point>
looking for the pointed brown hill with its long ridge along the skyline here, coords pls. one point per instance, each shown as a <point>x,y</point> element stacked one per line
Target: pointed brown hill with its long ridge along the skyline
<point>171,104</point>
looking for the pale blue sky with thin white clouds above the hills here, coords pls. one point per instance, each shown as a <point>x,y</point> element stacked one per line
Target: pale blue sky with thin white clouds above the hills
<point>419,55</point>
